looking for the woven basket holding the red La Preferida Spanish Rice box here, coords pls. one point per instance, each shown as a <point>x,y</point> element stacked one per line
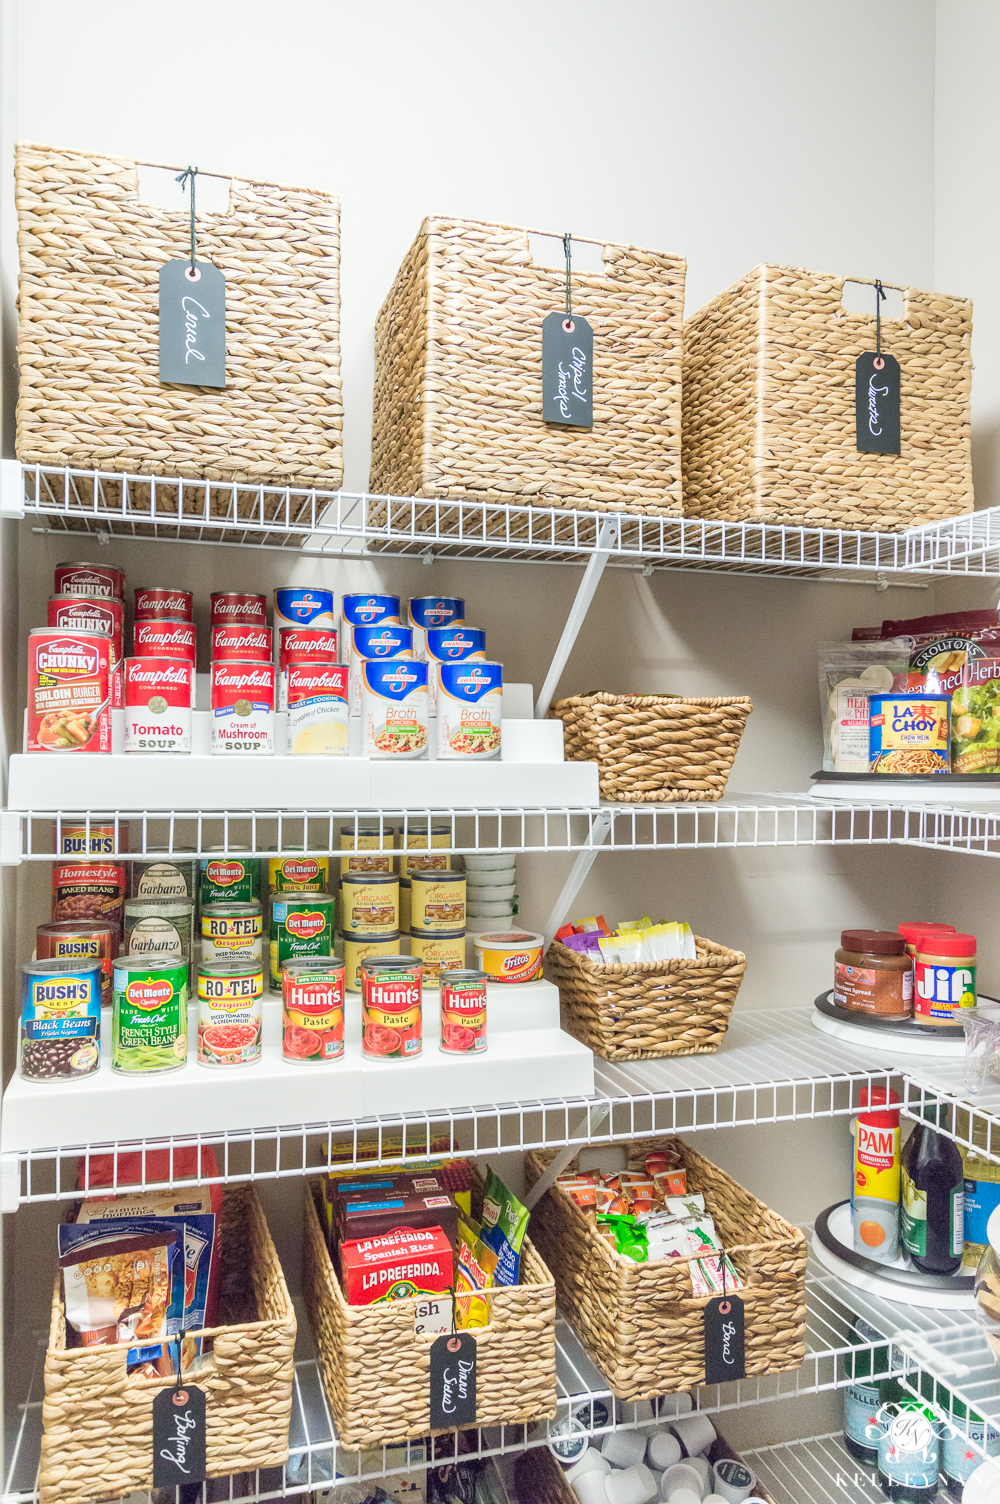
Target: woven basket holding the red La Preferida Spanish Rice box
<point>377,1369</point>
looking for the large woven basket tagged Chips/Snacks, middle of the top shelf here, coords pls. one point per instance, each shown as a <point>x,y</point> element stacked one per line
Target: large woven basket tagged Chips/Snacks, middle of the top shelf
<point>458,377</point>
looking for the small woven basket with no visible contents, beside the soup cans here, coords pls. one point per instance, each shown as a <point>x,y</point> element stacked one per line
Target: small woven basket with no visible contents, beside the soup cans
<point>655,750</point>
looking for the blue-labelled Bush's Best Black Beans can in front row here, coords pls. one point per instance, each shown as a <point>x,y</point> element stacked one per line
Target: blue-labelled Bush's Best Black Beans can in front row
<point>61,1019</point>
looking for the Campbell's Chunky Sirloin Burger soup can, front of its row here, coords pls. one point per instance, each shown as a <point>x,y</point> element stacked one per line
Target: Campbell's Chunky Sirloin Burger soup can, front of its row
<point>68,691</point>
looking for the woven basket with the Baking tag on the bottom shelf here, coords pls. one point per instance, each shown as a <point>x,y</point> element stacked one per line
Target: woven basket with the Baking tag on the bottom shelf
<point>98,1424</point>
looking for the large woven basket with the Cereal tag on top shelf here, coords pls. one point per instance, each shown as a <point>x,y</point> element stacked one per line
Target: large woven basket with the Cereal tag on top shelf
<point>88,339</point>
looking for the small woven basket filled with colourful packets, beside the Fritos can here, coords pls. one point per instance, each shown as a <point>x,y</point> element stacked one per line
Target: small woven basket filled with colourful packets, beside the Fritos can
<point>649,1010</point>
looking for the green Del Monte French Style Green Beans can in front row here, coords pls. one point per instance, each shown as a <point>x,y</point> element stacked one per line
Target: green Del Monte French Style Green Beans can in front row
<point>150,1022</point>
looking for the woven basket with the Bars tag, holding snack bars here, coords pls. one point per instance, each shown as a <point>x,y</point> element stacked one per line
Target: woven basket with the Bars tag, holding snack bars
<point>640,1323</point>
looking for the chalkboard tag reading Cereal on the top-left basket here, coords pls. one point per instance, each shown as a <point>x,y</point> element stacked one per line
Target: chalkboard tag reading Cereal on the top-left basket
<point>192,324</point>
